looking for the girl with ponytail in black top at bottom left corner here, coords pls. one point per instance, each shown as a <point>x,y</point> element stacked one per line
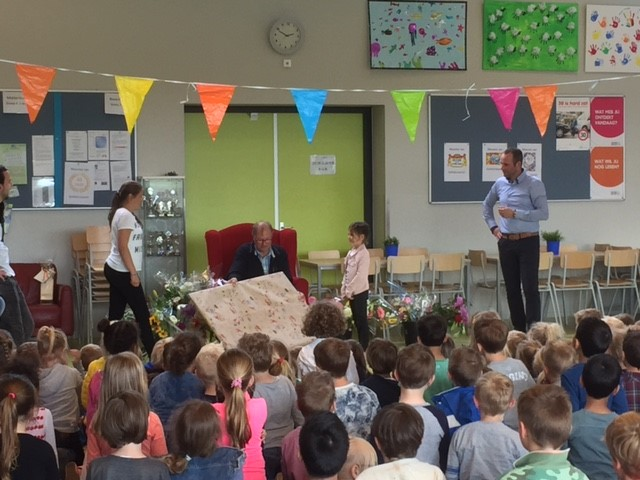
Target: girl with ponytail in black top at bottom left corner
<point>22,456</point>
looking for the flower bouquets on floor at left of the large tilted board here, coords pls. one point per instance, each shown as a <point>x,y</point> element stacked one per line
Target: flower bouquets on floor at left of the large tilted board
<point>171,310</point>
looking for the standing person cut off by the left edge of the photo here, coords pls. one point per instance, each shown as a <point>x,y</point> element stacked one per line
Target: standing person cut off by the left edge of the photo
<point>16,317</point>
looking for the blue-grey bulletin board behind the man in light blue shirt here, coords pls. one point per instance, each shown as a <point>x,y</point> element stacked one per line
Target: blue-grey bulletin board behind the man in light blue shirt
<point>566,174</point>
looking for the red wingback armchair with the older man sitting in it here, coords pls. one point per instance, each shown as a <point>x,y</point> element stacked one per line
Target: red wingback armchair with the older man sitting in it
<point>222,246</point>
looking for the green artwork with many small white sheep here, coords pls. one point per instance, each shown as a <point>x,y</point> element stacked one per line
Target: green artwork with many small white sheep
<point>539,36</point>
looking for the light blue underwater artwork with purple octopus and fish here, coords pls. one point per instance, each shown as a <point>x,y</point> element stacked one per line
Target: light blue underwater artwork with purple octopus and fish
<point>418,35</point>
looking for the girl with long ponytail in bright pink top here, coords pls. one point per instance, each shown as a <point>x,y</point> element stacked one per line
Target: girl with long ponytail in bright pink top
<point>242,418</point>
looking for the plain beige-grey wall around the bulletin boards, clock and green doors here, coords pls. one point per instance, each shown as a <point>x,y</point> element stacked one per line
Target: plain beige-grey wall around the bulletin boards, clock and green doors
<point>224,41</point>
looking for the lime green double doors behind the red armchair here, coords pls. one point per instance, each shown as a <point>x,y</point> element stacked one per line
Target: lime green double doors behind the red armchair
<point>231,180</point>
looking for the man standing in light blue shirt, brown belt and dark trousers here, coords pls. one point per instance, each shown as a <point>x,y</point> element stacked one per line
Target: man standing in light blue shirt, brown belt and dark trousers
<point>523,203</point>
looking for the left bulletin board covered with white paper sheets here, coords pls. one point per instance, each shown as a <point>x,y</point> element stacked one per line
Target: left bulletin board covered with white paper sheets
<point>75,155</point>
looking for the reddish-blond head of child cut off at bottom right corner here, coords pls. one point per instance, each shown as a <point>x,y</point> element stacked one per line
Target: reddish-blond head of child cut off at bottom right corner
<point>623,439</point>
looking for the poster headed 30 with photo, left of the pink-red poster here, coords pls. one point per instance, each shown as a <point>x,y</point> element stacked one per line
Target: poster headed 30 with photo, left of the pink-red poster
<point>573,130</point>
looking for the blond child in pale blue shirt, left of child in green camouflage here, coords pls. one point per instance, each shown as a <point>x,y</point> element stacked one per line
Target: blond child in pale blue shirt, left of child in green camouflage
<point>485,450</point>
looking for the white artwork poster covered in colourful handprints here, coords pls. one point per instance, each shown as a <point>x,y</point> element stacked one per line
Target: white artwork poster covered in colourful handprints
<point>612,38</point>
